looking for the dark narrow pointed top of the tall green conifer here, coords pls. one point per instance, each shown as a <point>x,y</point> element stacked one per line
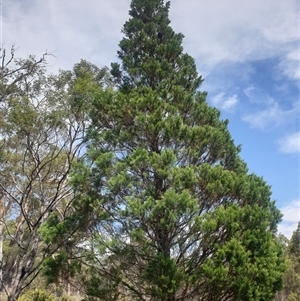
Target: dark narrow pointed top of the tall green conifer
<point>151,52</point>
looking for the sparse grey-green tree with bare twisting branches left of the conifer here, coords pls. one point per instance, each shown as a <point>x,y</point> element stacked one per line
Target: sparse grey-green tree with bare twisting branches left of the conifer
<point>43,125</point>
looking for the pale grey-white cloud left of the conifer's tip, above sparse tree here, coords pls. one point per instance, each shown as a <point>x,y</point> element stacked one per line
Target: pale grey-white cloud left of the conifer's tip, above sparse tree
<point>71,29</point>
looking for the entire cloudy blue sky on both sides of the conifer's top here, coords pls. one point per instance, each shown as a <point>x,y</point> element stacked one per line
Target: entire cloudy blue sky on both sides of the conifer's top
<point>247,52</point>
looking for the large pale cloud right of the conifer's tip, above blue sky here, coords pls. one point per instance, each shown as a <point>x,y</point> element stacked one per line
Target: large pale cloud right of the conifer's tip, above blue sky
<point>237,30</point>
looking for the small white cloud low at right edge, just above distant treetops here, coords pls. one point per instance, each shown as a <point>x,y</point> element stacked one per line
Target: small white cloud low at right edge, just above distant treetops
<point>291,217</point>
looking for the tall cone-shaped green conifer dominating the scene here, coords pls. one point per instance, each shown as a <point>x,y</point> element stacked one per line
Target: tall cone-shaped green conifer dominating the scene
<point>183,218</point>
